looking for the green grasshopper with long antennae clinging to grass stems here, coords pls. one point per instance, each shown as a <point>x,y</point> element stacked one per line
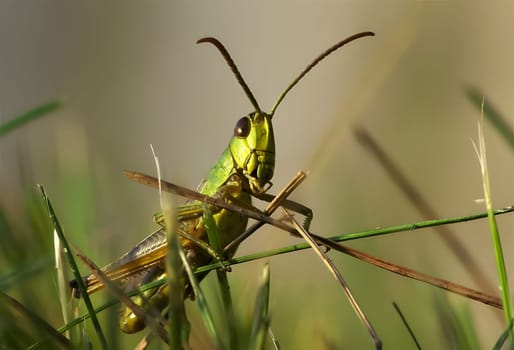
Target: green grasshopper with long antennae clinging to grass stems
<point>244,170</point>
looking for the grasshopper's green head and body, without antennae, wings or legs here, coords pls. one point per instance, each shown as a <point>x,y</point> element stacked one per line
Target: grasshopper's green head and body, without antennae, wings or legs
<point>245,168</point>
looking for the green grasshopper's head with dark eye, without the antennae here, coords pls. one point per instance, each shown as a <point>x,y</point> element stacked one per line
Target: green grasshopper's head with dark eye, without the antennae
<point>253,149</point>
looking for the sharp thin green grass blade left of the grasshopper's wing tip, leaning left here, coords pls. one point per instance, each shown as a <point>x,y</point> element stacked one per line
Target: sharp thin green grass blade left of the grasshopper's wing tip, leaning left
<point>74,268</point>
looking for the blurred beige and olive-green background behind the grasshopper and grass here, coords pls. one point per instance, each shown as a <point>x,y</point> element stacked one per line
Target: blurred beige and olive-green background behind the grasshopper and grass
<point>129,74</point>
